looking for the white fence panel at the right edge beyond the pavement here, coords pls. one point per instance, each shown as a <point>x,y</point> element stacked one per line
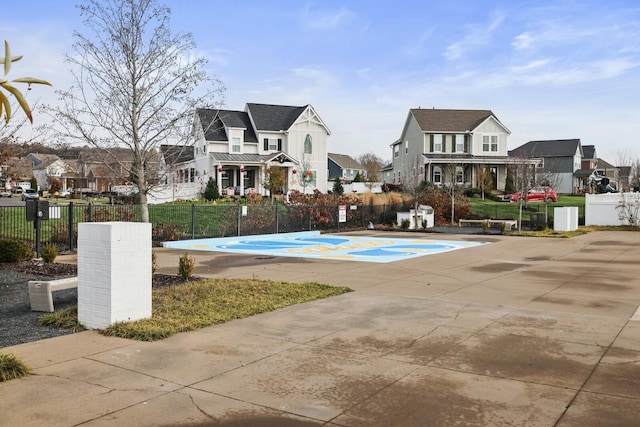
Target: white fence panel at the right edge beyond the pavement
<point>606,209</point>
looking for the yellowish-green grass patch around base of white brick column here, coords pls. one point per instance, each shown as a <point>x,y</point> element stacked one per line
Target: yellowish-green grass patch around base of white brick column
<point>194,305</point>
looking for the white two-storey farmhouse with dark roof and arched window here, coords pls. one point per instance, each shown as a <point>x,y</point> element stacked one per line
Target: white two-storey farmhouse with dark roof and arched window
<point>239,148</point>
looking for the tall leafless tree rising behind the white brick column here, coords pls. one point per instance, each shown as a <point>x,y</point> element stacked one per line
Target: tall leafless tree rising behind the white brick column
<point>136,85</point>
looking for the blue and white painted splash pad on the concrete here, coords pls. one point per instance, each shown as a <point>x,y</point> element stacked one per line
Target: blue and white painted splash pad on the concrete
<point>312,244</point>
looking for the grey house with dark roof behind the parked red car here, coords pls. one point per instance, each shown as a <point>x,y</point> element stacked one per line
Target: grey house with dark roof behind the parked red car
<point>561,161</point>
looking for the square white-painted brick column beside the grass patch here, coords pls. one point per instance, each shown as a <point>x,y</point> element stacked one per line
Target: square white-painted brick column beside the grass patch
<point>114,273</point>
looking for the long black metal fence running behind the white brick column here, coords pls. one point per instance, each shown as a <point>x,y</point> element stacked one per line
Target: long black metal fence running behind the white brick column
<point>191,221</point>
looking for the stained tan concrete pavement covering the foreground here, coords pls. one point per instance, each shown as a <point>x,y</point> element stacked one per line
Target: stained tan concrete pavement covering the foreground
<point>524,331</point>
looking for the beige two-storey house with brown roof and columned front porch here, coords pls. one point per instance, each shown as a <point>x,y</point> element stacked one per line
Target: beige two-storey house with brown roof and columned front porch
<point>451,146</point>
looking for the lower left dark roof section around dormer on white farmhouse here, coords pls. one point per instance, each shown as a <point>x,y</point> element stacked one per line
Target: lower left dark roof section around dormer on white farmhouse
<point>214,123</point>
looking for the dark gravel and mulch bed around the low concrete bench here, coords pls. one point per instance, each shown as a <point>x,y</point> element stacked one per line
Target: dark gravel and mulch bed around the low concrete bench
<point>18,324</point>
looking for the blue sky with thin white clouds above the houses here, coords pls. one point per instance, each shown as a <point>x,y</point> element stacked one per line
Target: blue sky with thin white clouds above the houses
<point>547,69</point>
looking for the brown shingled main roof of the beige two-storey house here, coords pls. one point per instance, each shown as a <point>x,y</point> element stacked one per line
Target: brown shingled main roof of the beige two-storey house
<point>437,120</point>
